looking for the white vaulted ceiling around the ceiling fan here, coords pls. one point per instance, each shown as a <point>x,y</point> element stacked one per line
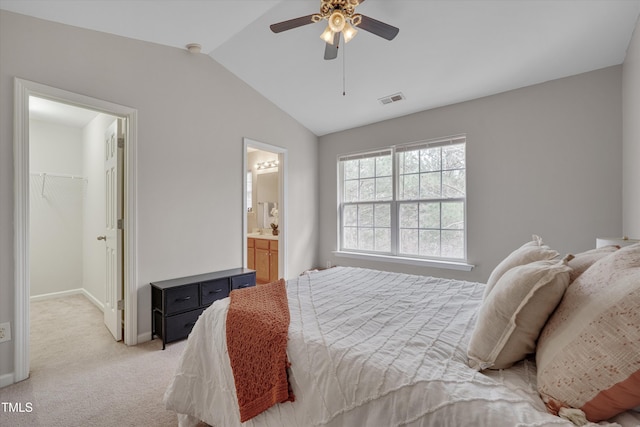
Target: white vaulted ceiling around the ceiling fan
<point>447,51</point>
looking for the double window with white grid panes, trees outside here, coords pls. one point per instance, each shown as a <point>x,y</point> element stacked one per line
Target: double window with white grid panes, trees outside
<point>405,201</point>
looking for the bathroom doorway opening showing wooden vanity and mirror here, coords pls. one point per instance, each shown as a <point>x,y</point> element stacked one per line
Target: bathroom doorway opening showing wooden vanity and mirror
<point>264,210</point>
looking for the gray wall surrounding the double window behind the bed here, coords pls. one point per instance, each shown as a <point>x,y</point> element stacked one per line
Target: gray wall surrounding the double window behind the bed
<point>545,159</point>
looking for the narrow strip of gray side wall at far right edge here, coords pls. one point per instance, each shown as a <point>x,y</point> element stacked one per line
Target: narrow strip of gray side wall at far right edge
<point>631,130</point>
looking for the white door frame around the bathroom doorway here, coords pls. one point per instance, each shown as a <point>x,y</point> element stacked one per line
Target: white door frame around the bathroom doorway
<point>282,200</point>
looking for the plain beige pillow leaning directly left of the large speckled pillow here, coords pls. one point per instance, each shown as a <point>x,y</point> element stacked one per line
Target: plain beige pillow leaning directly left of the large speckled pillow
<point>515,312</point>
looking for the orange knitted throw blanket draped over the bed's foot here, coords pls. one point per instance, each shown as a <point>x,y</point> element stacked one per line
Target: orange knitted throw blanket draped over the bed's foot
<point>257,329</point>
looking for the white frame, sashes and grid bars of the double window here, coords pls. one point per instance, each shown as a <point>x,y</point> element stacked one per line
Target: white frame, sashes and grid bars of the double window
<point>394,254</point>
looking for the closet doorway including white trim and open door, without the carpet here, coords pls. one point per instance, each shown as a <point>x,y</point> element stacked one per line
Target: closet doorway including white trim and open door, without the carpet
<point>72,210</point>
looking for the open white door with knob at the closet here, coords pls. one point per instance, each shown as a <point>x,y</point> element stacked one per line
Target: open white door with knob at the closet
<point>113,235</point>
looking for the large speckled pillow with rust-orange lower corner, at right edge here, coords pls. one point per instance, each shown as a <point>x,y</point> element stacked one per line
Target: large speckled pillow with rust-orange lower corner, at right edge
<point>588,354</point>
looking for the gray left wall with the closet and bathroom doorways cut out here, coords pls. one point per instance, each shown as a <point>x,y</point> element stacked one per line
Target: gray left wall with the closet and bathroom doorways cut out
<point>192,117</point>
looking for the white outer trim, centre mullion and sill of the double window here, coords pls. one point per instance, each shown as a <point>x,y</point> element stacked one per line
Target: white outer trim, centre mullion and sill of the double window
<point>455,264</point>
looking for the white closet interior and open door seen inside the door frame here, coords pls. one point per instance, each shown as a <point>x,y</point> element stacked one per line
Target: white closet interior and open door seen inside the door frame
<point>75,200</point>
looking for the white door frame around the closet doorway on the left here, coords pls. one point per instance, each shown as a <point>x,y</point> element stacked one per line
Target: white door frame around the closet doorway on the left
<point>22,90</point>
